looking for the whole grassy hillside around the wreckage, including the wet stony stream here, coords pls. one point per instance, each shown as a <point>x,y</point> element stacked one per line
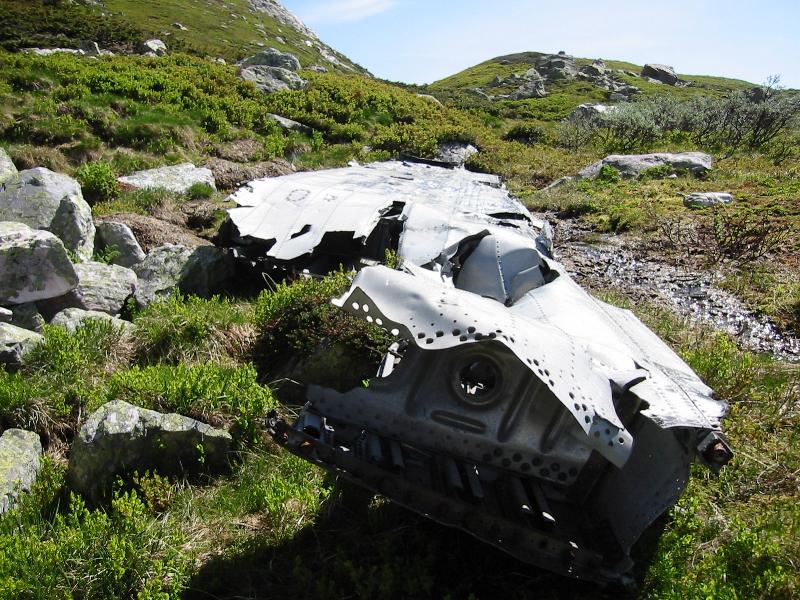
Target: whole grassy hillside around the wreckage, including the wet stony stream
<point>718,284</point>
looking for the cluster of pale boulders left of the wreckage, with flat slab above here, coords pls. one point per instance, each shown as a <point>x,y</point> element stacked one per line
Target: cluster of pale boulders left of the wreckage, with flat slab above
<point>48,238</point>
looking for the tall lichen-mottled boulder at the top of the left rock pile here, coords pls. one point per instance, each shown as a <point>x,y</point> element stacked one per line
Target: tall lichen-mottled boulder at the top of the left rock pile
<point>52,201</point>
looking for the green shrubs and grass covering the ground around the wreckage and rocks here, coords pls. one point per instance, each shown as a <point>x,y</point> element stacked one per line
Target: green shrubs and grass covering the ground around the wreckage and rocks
<point>275,526</point>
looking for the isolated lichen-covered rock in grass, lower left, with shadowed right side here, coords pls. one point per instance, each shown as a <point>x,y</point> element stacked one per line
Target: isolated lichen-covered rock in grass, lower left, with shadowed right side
<point>119,438</point>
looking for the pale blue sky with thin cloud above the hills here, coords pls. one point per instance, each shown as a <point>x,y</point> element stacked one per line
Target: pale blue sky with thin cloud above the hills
<point>418,41</point>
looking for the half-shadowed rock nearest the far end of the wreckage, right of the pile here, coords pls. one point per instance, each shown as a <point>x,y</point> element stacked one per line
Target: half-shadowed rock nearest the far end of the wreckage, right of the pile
<point>202,272</point>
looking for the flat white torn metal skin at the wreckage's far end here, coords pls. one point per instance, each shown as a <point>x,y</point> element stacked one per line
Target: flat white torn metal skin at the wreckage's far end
<point>440,206</point>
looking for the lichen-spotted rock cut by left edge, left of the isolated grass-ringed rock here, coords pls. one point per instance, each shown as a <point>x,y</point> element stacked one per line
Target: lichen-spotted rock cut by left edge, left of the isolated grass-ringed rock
<point>20,461</point>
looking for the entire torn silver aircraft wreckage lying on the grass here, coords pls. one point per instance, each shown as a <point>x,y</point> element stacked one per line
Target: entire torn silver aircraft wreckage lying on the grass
<point>514,405</point>
